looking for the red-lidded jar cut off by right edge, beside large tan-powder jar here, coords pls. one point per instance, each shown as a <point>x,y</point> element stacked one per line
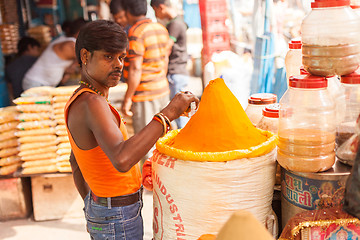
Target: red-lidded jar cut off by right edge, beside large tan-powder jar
<point>350,102</point>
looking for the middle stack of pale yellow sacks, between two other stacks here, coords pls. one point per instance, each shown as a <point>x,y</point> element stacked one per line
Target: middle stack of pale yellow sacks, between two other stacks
<point>36,131</point>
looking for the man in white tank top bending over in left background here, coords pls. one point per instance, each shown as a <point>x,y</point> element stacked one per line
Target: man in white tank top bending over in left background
<point>56,63</point>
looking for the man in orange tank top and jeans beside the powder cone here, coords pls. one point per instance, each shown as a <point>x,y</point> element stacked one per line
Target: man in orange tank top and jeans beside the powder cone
<point>104,161</point>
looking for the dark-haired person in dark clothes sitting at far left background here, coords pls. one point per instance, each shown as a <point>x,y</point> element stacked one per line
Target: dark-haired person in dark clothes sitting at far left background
<point>28,52</point>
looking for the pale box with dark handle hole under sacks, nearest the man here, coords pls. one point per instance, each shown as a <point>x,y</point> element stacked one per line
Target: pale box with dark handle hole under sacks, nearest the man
<point>55,197</point>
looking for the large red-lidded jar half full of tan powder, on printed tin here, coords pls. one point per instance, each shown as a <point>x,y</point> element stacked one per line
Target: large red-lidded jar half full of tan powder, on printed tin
<point>307,125</point>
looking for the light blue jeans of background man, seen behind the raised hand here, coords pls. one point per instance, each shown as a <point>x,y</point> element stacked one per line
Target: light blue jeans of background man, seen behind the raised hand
<point>177,83</point>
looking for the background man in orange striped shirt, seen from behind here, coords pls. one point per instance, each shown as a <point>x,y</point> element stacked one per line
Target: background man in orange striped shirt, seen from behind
<point>145,66</point>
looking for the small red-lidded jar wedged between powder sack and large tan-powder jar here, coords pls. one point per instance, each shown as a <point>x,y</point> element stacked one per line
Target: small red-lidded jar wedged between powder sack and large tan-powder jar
<point>270,118</point>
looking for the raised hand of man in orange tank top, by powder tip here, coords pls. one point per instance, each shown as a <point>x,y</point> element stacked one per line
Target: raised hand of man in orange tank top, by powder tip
<point>179,104</point>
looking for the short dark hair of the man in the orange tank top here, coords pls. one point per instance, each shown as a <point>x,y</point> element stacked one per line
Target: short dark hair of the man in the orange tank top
<point>101,35</point>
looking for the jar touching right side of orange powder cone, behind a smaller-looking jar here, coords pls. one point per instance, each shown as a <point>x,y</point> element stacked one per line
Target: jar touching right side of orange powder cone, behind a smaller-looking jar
<point>256,104</point>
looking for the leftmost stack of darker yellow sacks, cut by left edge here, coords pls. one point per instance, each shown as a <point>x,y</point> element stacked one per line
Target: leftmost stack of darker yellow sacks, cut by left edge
<point>9,161</point>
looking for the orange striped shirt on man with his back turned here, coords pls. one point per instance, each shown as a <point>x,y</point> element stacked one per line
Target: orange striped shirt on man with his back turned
<point>149,40</point>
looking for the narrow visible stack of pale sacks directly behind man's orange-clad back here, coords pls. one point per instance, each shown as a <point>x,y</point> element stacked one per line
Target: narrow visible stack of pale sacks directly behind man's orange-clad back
<point>60,96</point>
